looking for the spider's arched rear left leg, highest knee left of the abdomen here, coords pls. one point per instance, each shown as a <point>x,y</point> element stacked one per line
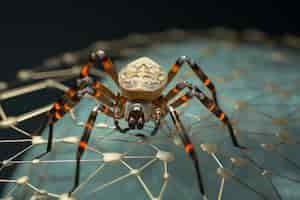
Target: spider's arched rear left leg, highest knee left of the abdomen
<point>100,55</point>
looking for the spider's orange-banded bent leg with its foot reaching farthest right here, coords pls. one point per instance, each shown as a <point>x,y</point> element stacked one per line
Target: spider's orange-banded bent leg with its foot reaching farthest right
<point>212,107</point>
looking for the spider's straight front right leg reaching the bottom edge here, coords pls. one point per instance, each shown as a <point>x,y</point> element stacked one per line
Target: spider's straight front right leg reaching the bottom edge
<point>189,148</point>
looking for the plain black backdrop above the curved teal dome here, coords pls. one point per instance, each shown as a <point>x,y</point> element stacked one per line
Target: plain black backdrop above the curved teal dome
<point>32,31</point>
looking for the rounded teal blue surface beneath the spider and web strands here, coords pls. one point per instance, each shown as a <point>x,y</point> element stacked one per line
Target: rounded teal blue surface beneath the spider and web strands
<point>253,74</point>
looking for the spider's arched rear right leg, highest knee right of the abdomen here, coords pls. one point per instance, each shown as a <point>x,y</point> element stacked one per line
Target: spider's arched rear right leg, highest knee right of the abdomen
<point>197,70</point>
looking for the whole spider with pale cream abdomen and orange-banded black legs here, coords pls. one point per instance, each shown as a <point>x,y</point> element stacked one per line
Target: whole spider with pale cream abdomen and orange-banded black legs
<point>141,84</point>
